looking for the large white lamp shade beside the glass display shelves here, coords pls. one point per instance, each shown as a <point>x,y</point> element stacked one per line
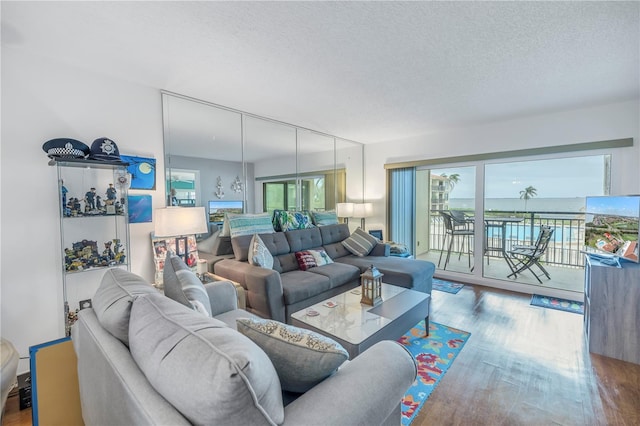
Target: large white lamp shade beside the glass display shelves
<point>176,221</point>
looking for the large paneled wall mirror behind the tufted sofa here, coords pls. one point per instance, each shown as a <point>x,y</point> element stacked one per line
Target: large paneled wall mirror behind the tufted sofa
<point>253,163</point>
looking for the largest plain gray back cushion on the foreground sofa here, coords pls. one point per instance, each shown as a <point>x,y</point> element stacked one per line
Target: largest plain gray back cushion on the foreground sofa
<point>209,372</point>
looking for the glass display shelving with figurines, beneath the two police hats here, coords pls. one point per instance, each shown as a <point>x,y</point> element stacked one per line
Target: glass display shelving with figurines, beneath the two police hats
<point>94,229</point>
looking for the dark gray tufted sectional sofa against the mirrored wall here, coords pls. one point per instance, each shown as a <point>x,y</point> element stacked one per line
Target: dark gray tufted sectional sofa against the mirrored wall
<point>278,292</point>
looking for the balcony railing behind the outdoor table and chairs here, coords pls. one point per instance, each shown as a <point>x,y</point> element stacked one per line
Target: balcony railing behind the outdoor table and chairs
<point>564,249</point>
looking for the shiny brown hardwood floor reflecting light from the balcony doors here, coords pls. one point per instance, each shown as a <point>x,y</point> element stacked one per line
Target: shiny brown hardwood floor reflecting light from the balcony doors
<point>522,365</point>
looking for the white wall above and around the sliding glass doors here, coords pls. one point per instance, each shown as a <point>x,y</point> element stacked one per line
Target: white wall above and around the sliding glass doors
<point>606,122</point>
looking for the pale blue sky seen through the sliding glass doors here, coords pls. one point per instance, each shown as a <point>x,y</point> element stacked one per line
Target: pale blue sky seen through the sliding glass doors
<point>556,178</point>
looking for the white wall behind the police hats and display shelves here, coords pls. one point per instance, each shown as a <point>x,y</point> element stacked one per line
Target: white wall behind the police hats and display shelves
<point>42,100</point>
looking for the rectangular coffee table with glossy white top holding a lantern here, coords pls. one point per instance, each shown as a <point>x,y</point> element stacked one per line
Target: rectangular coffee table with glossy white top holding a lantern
<point>357,326</point>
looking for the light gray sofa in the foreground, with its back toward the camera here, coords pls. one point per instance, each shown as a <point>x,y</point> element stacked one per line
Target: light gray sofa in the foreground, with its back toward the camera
<point>145,359</point>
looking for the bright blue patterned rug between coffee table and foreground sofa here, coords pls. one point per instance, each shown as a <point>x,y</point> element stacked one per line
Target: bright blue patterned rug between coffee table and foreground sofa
<point>434,355</point>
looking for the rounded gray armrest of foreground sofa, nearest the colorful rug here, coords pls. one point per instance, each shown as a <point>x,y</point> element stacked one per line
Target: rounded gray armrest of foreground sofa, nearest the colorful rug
<point>348,397</point>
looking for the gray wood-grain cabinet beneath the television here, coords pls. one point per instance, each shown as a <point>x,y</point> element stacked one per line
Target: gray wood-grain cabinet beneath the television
<point>612,310</point>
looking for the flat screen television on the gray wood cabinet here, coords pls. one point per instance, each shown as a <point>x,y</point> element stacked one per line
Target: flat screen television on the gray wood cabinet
<point>611,226</point>
